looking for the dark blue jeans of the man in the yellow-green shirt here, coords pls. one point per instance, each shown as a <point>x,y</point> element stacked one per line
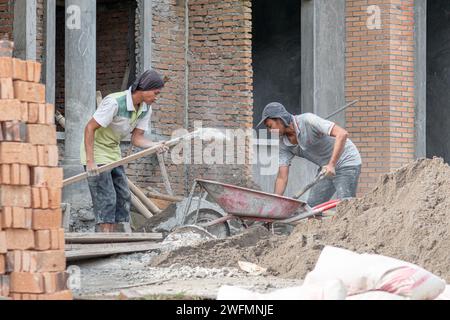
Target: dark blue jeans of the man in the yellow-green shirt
<point>111,196</point>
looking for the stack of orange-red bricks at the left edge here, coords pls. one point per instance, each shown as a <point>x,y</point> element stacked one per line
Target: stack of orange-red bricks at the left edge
<point>32,260</point>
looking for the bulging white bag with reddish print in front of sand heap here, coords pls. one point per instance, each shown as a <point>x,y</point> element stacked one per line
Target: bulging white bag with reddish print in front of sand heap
<point>368,272</point>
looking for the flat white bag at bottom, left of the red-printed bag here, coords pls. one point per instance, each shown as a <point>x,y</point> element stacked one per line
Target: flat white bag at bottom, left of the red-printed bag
<point>334,290</point>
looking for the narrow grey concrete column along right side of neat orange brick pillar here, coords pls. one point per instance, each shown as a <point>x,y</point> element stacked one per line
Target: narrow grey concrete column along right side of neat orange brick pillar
<point>420,35</point>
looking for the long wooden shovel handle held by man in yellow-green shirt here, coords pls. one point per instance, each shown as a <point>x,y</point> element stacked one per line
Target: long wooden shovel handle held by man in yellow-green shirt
<point>138,155</point>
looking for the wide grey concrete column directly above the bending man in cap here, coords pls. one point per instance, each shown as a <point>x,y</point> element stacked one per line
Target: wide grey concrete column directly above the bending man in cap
<point>323,57</point>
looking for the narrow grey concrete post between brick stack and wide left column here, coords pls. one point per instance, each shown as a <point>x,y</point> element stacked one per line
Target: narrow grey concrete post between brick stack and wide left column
<point>50,45</point>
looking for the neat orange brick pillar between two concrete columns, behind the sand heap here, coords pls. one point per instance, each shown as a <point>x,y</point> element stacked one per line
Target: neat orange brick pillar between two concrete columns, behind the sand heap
<point>380,73</point>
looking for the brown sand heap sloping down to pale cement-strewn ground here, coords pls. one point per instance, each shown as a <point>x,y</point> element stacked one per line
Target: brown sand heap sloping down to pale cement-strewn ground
<point>406,216</point>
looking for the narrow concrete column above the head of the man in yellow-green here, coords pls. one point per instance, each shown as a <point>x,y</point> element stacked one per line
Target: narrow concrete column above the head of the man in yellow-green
<point>146,36</point>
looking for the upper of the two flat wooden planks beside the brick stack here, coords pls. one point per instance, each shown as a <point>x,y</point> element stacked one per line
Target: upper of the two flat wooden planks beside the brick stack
<point>110,237</point>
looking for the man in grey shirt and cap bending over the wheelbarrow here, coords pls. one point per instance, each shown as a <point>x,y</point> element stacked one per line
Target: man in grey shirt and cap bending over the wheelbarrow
<point>320,141</point>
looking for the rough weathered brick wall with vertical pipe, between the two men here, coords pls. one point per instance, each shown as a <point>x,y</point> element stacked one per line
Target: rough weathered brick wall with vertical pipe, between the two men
<point>220,82</point>
